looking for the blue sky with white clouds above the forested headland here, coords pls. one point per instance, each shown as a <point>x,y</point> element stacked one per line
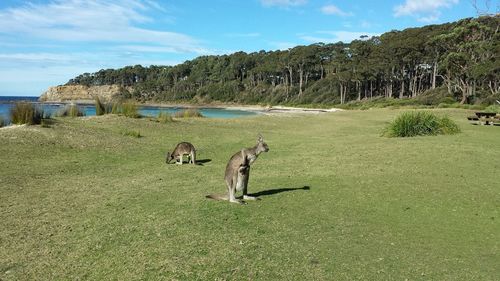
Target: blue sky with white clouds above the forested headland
<point>47,42</point>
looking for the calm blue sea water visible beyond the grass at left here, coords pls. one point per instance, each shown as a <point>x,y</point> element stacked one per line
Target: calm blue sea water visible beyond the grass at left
<point>7,102</point>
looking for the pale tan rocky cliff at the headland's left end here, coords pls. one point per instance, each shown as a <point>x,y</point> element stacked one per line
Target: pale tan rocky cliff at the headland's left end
<point>80,93</point>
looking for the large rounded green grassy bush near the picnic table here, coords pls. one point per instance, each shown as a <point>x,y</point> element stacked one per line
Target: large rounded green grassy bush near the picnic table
<point>420,123</point>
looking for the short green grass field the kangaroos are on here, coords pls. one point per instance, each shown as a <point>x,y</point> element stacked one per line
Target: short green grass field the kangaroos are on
<point>81,200</point>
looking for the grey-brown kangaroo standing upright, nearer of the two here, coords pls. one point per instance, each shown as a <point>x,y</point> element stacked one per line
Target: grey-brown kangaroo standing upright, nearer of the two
<point>238,172</point>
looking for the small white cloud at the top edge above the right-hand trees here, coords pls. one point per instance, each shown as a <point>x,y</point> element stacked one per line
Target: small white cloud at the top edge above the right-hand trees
<point>423,10</point>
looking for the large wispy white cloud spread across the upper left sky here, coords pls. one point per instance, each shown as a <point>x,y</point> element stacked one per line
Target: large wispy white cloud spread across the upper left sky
<point>92,21</point>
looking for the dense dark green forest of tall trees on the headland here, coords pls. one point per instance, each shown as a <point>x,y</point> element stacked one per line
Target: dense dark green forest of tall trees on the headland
<point>453,62</point>
